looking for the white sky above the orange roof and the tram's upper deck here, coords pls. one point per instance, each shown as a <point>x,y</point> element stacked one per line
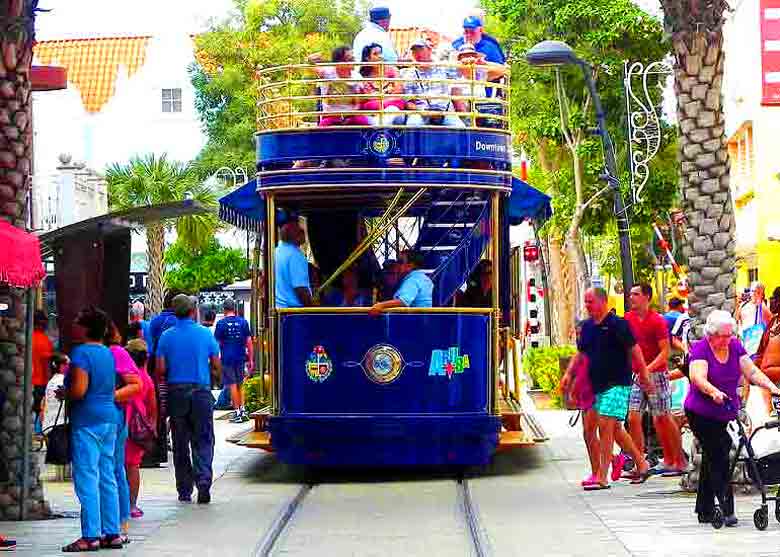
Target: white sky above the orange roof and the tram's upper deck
<point>84,18</point>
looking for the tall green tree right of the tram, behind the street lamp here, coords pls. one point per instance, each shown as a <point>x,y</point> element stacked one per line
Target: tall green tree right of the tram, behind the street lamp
<point>552,117</point>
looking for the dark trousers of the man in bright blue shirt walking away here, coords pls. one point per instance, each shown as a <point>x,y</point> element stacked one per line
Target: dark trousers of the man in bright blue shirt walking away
<point>191,409</point>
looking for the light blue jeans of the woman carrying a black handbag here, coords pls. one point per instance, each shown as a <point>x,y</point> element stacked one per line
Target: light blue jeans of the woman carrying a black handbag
<point>94,479</point>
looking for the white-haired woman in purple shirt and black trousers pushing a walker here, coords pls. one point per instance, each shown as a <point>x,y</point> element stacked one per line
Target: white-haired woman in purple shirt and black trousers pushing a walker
<point>716,364</point>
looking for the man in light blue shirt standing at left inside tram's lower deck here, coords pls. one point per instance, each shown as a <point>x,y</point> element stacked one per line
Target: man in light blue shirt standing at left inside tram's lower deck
<point>291,269</point>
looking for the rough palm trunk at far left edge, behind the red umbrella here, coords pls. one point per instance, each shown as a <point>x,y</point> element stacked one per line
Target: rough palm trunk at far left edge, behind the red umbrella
<point>16,41</point>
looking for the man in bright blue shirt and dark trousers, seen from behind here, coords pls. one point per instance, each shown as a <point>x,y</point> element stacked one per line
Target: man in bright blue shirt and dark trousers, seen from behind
<point>187,355</point>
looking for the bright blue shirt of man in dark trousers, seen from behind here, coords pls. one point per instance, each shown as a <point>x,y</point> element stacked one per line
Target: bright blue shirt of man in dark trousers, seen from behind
<point>186,348</point>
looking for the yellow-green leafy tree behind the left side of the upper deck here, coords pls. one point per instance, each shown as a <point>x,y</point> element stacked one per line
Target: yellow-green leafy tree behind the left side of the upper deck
<point>263,33</point>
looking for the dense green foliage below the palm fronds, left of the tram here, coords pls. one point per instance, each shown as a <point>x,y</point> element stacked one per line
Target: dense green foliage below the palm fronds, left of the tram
<point>192,270</point>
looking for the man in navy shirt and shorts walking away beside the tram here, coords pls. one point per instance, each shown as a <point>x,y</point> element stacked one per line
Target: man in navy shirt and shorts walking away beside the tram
<point>235,341</point>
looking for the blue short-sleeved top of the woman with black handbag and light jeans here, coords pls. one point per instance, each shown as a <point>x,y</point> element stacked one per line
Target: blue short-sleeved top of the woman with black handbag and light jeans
<point>98,406</point>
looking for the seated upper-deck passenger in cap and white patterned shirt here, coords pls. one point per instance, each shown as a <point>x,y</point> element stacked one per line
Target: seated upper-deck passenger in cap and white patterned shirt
<point>428,81</point>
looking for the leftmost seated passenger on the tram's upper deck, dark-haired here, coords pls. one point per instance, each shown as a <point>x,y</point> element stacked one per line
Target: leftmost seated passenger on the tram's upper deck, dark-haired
<point>340,85</point>
